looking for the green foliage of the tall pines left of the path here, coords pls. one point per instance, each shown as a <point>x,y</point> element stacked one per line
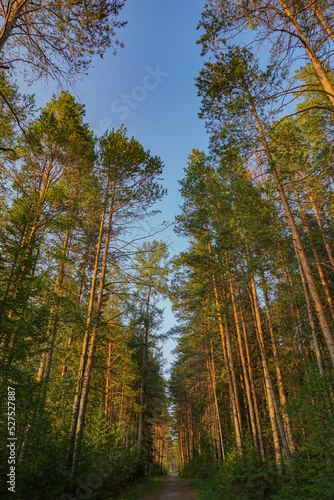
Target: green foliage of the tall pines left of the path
<point>50,226</point>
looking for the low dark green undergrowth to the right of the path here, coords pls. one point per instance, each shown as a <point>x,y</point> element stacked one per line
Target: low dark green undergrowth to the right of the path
<point>251,478</point>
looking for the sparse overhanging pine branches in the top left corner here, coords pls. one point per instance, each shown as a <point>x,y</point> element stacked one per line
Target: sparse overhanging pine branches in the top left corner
<point>56,39</point>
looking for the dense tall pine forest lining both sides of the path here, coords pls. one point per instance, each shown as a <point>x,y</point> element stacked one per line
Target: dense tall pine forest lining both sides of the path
<point>248,411</point>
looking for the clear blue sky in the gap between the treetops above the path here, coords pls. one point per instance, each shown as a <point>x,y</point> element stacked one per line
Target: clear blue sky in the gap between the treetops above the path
<point>149,86</point>
